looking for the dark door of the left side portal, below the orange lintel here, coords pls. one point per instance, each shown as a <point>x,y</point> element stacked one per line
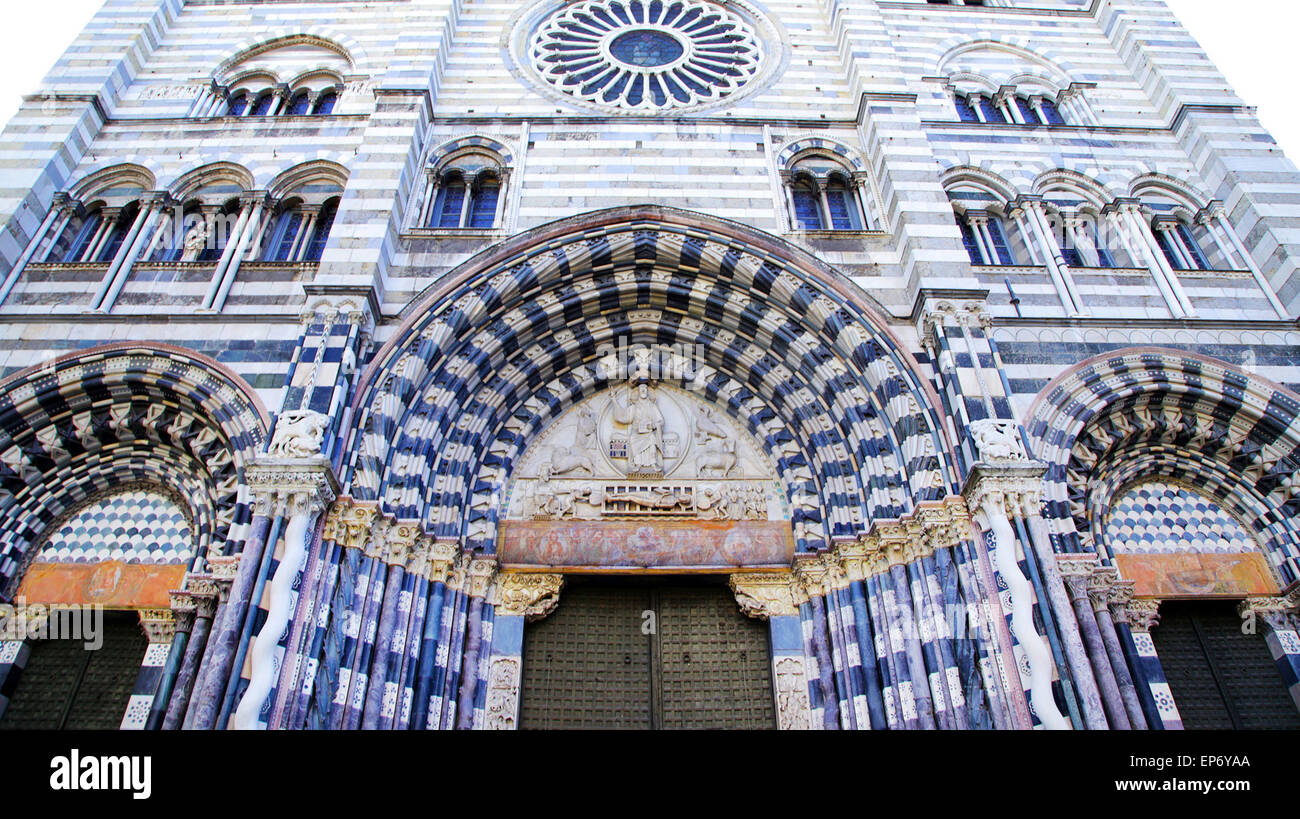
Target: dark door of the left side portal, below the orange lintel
<point>66,686</point>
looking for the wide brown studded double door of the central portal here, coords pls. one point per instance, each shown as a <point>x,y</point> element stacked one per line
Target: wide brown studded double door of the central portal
<point>647,657</point>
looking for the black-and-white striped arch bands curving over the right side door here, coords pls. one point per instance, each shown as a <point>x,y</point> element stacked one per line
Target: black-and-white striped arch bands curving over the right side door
<point>1134,414</point>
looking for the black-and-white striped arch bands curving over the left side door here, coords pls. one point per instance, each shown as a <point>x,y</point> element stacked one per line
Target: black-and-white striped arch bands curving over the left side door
<point>118,415</point>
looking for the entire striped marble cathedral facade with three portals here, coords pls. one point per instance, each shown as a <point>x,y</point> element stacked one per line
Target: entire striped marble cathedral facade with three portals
<point>834,365</point>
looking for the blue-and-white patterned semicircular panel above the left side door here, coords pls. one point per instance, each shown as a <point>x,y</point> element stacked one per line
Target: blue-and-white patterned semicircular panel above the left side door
<point>138,526</point>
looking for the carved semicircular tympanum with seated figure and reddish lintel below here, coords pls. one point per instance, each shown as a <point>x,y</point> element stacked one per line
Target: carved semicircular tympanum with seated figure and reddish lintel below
<point>645,475</point>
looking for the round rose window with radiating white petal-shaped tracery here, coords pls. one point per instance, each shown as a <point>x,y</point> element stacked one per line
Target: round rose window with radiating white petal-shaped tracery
<point>647,55</point>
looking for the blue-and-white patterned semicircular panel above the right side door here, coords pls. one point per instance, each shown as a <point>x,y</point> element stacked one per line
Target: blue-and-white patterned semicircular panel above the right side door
<point>1165,518</point>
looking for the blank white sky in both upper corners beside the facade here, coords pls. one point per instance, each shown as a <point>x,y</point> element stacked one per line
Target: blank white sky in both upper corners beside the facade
<point>1245,38</point>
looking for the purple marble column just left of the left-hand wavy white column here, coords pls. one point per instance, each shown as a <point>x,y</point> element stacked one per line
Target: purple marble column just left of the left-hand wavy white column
<point>206,703</point>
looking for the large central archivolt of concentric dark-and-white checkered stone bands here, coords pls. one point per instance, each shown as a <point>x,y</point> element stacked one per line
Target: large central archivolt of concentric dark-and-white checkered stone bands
<point>509,341</point>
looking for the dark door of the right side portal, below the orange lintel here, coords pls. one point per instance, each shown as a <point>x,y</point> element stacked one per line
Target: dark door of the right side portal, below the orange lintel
<point>1221,678</point>
